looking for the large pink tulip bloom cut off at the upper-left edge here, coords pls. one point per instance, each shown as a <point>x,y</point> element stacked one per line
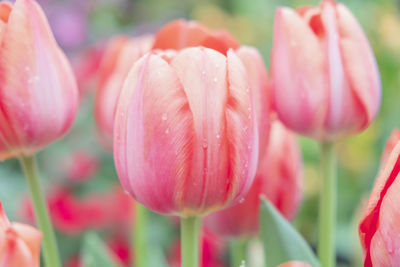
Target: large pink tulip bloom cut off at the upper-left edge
<point>38,93</point>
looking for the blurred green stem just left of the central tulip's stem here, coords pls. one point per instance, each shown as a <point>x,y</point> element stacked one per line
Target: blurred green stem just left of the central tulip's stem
<point>140,237</point>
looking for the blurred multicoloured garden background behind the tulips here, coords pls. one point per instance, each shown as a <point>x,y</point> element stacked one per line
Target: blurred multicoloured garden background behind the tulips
<point>79,175</point>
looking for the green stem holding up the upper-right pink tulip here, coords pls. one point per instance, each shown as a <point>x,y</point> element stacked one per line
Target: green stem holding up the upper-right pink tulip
<point>327,207</point>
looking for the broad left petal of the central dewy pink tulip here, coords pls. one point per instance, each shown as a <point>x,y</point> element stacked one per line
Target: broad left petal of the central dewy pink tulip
<point>153,135</point>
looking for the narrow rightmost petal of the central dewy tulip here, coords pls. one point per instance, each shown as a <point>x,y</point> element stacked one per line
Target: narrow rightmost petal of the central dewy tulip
<point>241,129</point>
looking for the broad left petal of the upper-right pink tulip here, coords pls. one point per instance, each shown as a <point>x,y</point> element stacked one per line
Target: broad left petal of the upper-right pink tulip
<point>299,74</point>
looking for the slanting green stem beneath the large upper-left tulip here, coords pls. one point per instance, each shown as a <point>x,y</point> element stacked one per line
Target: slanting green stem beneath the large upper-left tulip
<point>50,251</point>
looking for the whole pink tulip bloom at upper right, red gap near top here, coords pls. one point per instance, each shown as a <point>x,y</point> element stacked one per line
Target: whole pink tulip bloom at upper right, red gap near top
<point>326,83</point>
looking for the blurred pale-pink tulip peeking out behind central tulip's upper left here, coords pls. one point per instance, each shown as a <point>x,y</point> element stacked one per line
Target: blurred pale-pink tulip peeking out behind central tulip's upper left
<point>120,55</point>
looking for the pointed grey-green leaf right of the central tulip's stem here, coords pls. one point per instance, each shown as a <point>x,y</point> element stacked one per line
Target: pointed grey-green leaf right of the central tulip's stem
<point>282,242</point>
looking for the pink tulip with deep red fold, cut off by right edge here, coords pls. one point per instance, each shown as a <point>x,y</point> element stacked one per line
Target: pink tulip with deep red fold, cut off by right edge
<point>379,227</point>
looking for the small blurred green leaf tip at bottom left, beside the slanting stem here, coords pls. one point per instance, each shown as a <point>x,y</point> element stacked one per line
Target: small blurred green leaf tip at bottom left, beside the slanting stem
<point>96,253</point>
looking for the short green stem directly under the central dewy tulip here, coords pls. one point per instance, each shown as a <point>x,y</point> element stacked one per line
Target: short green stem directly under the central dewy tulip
<point>190,241</point>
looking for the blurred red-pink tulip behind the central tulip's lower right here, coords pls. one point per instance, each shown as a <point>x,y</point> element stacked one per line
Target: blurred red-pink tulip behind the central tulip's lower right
<point>278,178</point>
